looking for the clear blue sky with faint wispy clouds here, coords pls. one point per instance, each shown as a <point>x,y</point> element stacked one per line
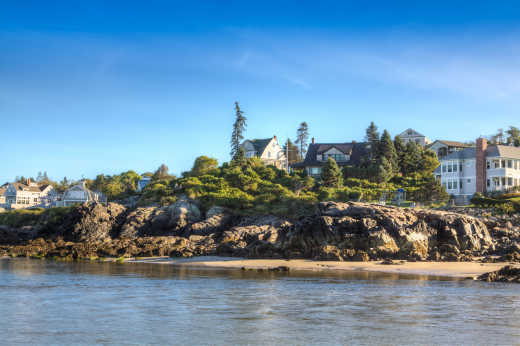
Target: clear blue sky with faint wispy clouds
<point>89,87</point>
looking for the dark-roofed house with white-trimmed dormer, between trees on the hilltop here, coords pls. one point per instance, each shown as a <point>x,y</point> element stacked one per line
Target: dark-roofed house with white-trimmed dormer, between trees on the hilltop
<point>345,154</point>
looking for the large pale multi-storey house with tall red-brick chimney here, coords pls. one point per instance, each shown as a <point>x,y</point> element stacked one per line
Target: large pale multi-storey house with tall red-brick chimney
<point>481,169</point>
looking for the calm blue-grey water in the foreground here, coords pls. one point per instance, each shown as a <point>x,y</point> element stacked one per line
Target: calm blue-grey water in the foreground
<point>46,302</point>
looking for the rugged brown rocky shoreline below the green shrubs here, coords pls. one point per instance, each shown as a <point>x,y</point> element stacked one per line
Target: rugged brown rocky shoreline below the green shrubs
<point>349,231</point>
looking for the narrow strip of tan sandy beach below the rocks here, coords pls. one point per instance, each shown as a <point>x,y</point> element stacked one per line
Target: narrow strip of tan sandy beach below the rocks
<point>447,269</point>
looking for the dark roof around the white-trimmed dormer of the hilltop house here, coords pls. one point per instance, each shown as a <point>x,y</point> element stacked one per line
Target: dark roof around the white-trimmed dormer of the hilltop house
<point>355,150</point>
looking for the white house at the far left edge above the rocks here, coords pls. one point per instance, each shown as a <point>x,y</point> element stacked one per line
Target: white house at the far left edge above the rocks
<point>19,196</point>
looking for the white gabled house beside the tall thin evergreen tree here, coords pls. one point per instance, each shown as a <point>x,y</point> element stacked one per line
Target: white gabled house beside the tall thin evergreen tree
<point>268,150</point>
